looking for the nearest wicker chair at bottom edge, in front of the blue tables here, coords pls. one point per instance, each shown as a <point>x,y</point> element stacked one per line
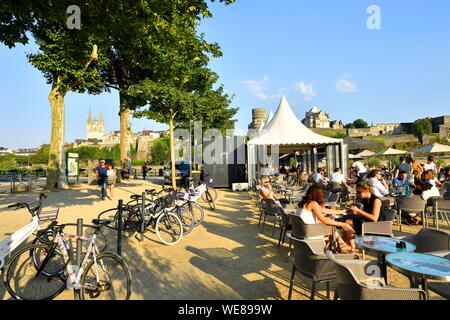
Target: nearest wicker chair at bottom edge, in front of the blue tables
<point>357,280</point>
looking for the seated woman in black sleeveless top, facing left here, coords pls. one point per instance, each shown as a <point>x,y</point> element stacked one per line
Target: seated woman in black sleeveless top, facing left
<point>370,211</point>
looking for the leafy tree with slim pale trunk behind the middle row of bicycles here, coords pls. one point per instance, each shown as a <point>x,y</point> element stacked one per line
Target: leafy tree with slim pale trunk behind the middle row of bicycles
<point>181,87</point>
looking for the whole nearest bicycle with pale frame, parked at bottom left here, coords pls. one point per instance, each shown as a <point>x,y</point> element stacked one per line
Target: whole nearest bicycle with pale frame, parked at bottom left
<point>42,271</point>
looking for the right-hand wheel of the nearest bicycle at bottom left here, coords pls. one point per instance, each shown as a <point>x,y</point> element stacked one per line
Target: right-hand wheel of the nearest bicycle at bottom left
<point>113,282</point>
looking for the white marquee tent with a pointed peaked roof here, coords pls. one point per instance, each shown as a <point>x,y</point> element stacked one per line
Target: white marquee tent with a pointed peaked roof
<point>285,133</point>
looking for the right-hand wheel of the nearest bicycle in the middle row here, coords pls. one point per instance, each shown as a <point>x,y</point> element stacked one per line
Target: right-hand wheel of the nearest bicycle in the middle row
<point>169,228</point>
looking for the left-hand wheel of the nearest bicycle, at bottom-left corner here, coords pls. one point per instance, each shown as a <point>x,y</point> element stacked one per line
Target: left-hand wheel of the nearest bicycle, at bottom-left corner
<point>21,277</point>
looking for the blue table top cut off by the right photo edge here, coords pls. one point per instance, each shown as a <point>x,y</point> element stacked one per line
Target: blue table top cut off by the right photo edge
<point>423,265</point>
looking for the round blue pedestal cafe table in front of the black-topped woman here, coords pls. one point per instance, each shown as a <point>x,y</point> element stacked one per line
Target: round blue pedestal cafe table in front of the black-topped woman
<point>383,246</point>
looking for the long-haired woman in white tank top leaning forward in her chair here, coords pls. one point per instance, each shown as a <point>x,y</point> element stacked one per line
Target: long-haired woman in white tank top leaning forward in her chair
<point>312,211</point>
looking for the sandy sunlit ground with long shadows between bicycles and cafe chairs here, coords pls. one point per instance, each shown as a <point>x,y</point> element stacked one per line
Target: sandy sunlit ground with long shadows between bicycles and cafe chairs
<point>225,258</point>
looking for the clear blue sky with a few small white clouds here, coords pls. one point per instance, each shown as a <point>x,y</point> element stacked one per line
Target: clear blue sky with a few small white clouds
<point>315,52</point>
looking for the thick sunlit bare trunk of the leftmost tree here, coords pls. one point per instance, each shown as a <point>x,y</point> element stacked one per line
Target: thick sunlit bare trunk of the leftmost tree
<point>56,167</point>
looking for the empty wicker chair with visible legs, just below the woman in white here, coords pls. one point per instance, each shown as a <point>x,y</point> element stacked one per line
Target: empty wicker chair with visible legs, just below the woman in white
<point>310,261</point>
